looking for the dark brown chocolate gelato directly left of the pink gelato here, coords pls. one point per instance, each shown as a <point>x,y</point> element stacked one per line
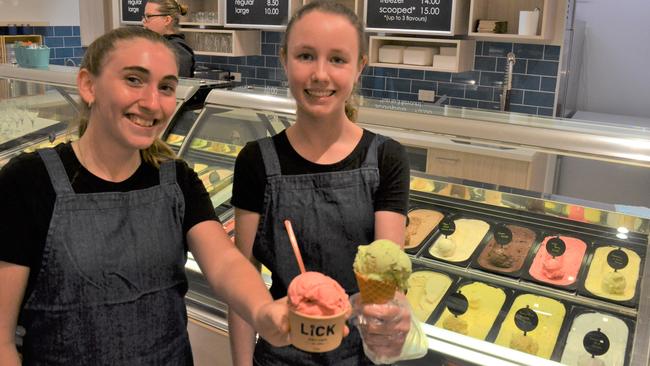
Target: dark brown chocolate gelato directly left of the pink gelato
<point>510,257</point>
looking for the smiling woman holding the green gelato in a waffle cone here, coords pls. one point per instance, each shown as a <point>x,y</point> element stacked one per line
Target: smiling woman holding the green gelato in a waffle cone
<point>340,185</point>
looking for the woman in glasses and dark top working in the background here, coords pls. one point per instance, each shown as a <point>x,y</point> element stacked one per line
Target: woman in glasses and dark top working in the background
<point>162,17</point>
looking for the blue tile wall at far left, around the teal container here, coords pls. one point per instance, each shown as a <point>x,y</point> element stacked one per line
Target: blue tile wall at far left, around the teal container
<point>64,42</point>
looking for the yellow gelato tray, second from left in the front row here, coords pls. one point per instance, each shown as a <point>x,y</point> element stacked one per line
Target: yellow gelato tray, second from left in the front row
<point>484,304</point>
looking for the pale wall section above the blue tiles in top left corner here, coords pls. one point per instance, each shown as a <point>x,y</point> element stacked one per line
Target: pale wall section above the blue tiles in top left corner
<point>53,12</point>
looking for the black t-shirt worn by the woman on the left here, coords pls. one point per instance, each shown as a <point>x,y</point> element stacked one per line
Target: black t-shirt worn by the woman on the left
<point>27,201</point>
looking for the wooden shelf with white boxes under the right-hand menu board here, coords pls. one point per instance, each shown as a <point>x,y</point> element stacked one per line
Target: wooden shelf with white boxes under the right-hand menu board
<point>464,52</point>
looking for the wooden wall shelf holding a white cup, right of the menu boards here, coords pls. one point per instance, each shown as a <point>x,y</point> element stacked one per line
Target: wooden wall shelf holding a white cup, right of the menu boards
<point>508,10</point>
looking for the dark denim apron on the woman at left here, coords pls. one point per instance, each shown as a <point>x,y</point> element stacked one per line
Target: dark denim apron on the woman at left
<point>112,283</point>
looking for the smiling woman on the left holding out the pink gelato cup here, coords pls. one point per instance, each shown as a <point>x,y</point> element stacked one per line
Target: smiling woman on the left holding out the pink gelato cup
<point>95,232</point>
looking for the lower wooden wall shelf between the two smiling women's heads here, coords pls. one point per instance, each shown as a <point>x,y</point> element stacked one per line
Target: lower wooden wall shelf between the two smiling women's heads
<point>223,42</point>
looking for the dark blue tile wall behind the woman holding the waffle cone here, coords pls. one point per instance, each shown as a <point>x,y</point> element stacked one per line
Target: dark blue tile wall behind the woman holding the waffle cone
<point>534,76</point>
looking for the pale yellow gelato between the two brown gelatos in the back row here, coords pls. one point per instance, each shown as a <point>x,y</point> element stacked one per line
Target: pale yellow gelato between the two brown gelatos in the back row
<point>459,246</point>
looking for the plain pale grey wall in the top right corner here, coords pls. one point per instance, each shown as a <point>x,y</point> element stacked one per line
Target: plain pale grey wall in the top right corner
<point>615,74</point>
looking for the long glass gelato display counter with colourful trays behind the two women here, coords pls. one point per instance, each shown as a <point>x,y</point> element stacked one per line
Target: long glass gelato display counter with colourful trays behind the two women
<point>542,279</point>
